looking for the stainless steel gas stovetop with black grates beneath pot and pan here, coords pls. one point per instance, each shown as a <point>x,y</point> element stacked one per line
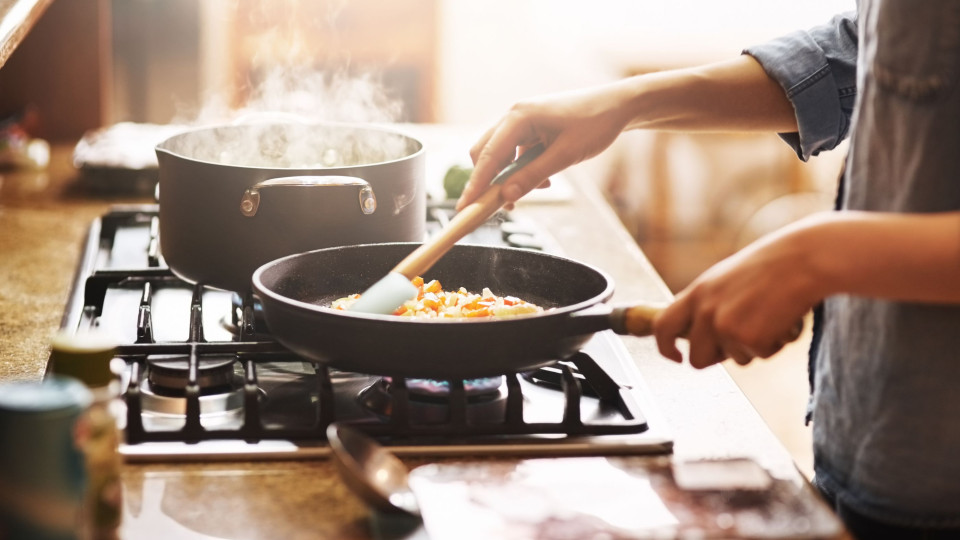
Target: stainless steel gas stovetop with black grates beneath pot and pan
<point>204,380</point>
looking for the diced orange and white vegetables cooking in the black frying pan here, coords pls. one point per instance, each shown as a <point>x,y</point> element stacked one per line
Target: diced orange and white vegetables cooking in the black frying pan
<point>433,302</point>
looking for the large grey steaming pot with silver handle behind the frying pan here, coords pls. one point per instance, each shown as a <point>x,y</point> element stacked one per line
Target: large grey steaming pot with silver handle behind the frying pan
<point>235,197</point>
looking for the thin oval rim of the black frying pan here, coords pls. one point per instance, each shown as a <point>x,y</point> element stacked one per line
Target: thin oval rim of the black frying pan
<point>599,298</point>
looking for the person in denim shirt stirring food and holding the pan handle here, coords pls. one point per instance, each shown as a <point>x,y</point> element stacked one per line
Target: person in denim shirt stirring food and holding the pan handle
<point>883,273</point>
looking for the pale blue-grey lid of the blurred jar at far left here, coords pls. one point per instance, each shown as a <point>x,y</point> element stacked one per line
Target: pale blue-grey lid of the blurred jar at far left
<point>53,394</point>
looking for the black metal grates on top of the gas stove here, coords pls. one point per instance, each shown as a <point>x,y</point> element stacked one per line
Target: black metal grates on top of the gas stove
<point>577,378</point>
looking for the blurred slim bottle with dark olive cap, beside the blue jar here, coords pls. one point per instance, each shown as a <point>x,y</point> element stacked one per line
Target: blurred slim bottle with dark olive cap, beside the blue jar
<point>89,357</point>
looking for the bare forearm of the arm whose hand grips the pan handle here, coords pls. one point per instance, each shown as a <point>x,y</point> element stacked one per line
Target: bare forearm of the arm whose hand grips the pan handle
<point>906,257</point>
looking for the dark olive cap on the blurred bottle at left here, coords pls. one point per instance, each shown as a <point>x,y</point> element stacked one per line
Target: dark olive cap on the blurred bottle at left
<point>83,355</point>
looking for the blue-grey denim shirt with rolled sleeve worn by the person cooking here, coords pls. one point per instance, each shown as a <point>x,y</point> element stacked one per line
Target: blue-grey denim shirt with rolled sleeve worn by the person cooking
<point>886,384</point>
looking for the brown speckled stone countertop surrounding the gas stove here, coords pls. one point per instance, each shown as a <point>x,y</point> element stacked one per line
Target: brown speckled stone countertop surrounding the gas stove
<point>43,220</point>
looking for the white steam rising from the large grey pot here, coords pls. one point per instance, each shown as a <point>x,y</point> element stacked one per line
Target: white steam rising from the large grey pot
<point>294,114</point>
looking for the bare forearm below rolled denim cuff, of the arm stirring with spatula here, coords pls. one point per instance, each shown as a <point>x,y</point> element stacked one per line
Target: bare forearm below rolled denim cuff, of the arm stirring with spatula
<point>735,95</point>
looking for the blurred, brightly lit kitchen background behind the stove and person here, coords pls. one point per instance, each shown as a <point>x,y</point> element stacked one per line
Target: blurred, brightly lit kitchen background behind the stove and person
<point>688,200</point>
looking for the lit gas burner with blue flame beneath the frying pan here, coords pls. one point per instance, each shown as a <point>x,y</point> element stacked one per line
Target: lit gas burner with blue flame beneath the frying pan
<point>428,401</point>
